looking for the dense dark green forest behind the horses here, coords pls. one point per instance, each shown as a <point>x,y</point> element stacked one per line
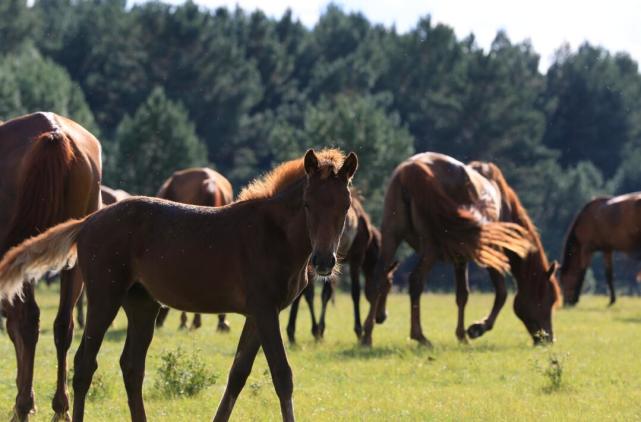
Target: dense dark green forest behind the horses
<point>166,87</point>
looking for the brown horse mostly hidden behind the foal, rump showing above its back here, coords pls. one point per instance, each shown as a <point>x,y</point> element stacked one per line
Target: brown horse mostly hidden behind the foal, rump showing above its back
<point>196,186</point>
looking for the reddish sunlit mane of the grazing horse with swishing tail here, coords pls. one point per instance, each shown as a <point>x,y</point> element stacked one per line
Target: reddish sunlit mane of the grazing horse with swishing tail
<point>521,217</point>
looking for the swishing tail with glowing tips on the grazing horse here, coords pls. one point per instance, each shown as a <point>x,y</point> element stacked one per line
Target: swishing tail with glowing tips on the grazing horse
<point>459,232</point>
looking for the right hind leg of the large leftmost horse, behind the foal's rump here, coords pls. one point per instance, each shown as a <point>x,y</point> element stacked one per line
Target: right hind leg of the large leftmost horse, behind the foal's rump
<point>70,291</point>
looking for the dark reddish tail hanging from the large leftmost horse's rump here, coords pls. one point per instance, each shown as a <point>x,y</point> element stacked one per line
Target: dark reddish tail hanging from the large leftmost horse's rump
<point>41,189</point>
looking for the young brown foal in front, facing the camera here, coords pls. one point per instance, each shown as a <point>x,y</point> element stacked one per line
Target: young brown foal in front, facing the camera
<point>250,257</point>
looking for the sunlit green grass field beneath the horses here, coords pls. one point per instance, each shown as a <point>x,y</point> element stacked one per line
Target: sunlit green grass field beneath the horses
<point>498,377</point>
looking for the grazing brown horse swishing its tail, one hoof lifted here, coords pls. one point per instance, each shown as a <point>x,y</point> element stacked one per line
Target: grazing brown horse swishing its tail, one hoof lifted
<point>448,211</point>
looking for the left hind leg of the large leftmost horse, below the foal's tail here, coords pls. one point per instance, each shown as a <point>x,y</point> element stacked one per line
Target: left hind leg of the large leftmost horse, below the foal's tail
<point>23,320</point>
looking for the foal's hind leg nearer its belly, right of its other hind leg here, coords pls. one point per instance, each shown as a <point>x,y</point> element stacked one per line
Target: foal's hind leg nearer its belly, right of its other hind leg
<point>141,310</point>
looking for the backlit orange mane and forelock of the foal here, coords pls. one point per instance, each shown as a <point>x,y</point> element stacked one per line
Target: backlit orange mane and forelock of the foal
<point>287,173</point>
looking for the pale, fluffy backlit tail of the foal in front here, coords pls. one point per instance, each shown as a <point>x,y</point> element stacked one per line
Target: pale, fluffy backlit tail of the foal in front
<point>54,250</point>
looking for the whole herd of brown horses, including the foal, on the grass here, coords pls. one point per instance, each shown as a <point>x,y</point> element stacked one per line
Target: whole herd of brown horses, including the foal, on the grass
<point>284,229</point>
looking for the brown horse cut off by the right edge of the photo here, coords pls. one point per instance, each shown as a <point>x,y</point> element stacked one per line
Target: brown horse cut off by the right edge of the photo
<point>604,224</point>
